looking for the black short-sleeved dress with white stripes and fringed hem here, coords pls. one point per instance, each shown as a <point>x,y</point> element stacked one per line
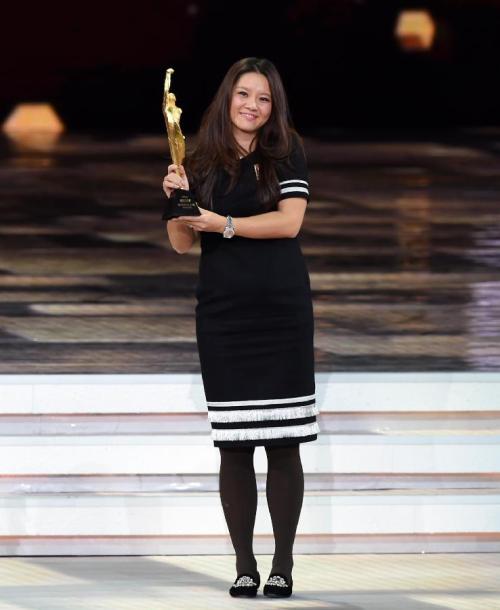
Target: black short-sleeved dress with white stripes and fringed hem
<point>254,321</point>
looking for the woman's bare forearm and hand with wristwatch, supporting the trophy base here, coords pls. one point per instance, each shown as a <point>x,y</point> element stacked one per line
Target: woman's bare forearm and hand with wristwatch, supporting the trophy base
<point>284,222</point>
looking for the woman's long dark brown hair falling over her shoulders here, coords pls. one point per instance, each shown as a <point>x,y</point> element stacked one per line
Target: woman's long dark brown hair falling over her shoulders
<point>217,148</point>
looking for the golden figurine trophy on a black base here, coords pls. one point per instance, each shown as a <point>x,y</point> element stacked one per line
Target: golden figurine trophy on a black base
<point>180,202</point>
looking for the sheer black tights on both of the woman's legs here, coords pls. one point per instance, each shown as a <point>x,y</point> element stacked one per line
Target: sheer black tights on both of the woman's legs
<point>284,492</point>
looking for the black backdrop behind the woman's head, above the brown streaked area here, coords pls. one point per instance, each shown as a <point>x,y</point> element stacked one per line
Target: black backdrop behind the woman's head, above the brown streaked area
<point>102,63</point>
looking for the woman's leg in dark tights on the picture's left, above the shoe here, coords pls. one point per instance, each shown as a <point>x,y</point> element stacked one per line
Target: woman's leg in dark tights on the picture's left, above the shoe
<point>238,492</point>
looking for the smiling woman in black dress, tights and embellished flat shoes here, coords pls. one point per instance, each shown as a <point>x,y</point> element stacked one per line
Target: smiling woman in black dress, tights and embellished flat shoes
<point>254,318</point>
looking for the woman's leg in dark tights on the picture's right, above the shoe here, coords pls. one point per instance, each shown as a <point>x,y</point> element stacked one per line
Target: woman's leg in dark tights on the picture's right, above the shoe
<point>285,492</point>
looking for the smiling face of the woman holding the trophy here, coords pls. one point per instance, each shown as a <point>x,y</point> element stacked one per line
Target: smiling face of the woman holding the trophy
<point>251,103</point>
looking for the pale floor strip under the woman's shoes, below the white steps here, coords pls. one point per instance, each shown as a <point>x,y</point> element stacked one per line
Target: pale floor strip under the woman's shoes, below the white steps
<point>344,582</point>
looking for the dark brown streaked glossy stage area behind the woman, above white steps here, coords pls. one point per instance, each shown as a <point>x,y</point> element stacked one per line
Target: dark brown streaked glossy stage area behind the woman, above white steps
<point>401,239</point>
